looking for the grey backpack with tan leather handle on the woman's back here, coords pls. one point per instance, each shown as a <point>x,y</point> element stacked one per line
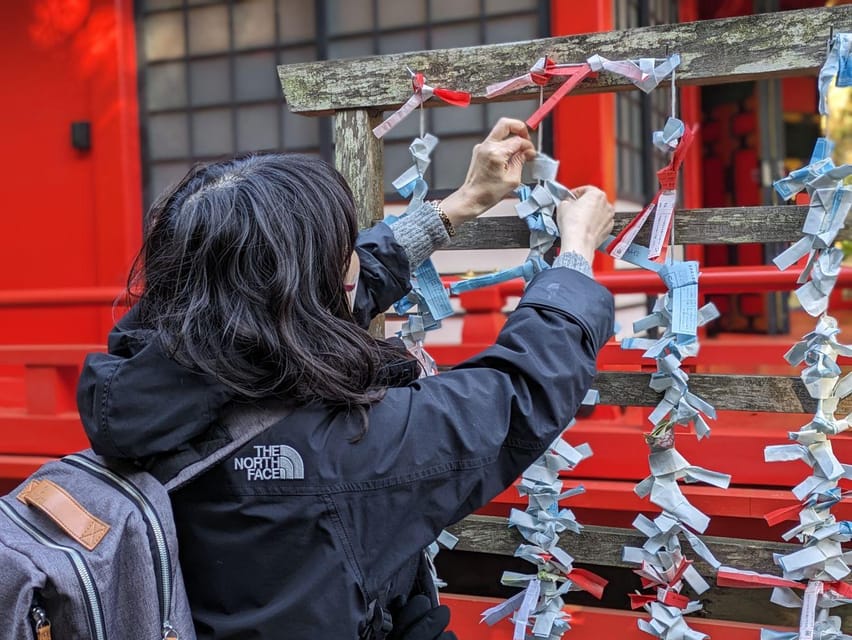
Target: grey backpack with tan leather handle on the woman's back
<point>88,546</point>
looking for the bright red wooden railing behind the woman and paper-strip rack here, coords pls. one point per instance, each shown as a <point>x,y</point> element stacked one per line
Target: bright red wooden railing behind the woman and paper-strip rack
<point>42,422</point>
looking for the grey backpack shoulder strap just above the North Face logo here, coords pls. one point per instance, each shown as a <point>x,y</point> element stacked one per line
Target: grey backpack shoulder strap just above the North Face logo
<point>239,424</point>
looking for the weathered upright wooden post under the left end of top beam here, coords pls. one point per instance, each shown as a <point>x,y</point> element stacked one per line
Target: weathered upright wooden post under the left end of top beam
<point>358,157</point>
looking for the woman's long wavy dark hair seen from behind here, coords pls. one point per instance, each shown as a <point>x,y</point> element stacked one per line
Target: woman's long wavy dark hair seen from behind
<point>241,277</point>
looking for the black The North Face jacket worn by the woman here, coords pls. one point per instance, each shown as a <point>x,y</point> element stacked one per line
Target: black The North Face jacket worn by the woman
<point>299,531</point>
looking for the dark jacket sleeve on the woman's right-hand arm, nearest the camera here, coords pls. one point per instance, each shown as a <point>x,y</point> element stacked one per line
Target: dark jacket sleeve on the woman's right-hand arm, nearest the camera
<point>441,448</point>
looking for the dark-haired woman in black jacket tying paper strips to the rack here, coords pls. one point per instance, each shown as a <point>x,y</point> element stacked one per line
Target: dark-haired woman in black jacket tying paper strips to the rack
<point>316,526</point>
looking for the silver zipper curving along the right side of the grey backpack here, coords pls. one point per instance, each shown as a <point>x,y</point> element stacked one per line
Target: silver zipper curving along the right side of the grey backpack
<point>160,550</point>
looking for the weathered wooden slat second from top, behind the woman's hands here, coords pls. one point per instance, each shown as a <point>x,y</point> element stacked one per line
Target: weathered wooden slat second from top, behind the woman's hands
<point>730,225</point>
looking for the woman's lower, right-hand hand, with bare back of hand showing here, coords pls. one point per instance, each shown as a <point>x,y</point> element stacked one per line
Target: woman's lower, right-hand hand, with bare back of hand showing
<point>586,222</point>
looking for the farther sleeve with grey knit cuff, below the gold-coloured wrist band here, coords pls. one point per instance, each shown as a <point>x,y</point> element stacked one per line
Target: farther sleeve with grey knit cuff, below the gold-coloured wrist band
<point>388,254</point>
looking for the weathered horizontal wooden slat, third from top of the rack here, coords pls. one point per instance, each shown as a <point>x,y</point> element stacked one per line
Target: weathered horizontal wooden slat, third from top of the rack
<point>772,394</point>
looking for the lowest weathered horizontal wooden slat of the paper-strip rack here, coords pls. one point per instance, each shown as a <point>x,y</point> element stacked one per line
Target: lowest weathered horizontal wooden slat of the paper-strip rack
<point>603,545</point>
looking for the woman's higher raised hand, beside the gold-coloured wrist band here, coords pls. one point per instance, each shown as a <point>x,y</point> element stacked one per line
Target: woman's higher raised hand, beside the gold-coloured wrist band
<point>495,170</point>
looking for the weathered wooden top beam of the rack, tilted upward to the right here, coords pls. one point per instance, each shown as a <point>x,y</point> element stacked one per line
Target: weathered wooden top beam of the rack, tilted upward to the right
<point>713,52</point>
